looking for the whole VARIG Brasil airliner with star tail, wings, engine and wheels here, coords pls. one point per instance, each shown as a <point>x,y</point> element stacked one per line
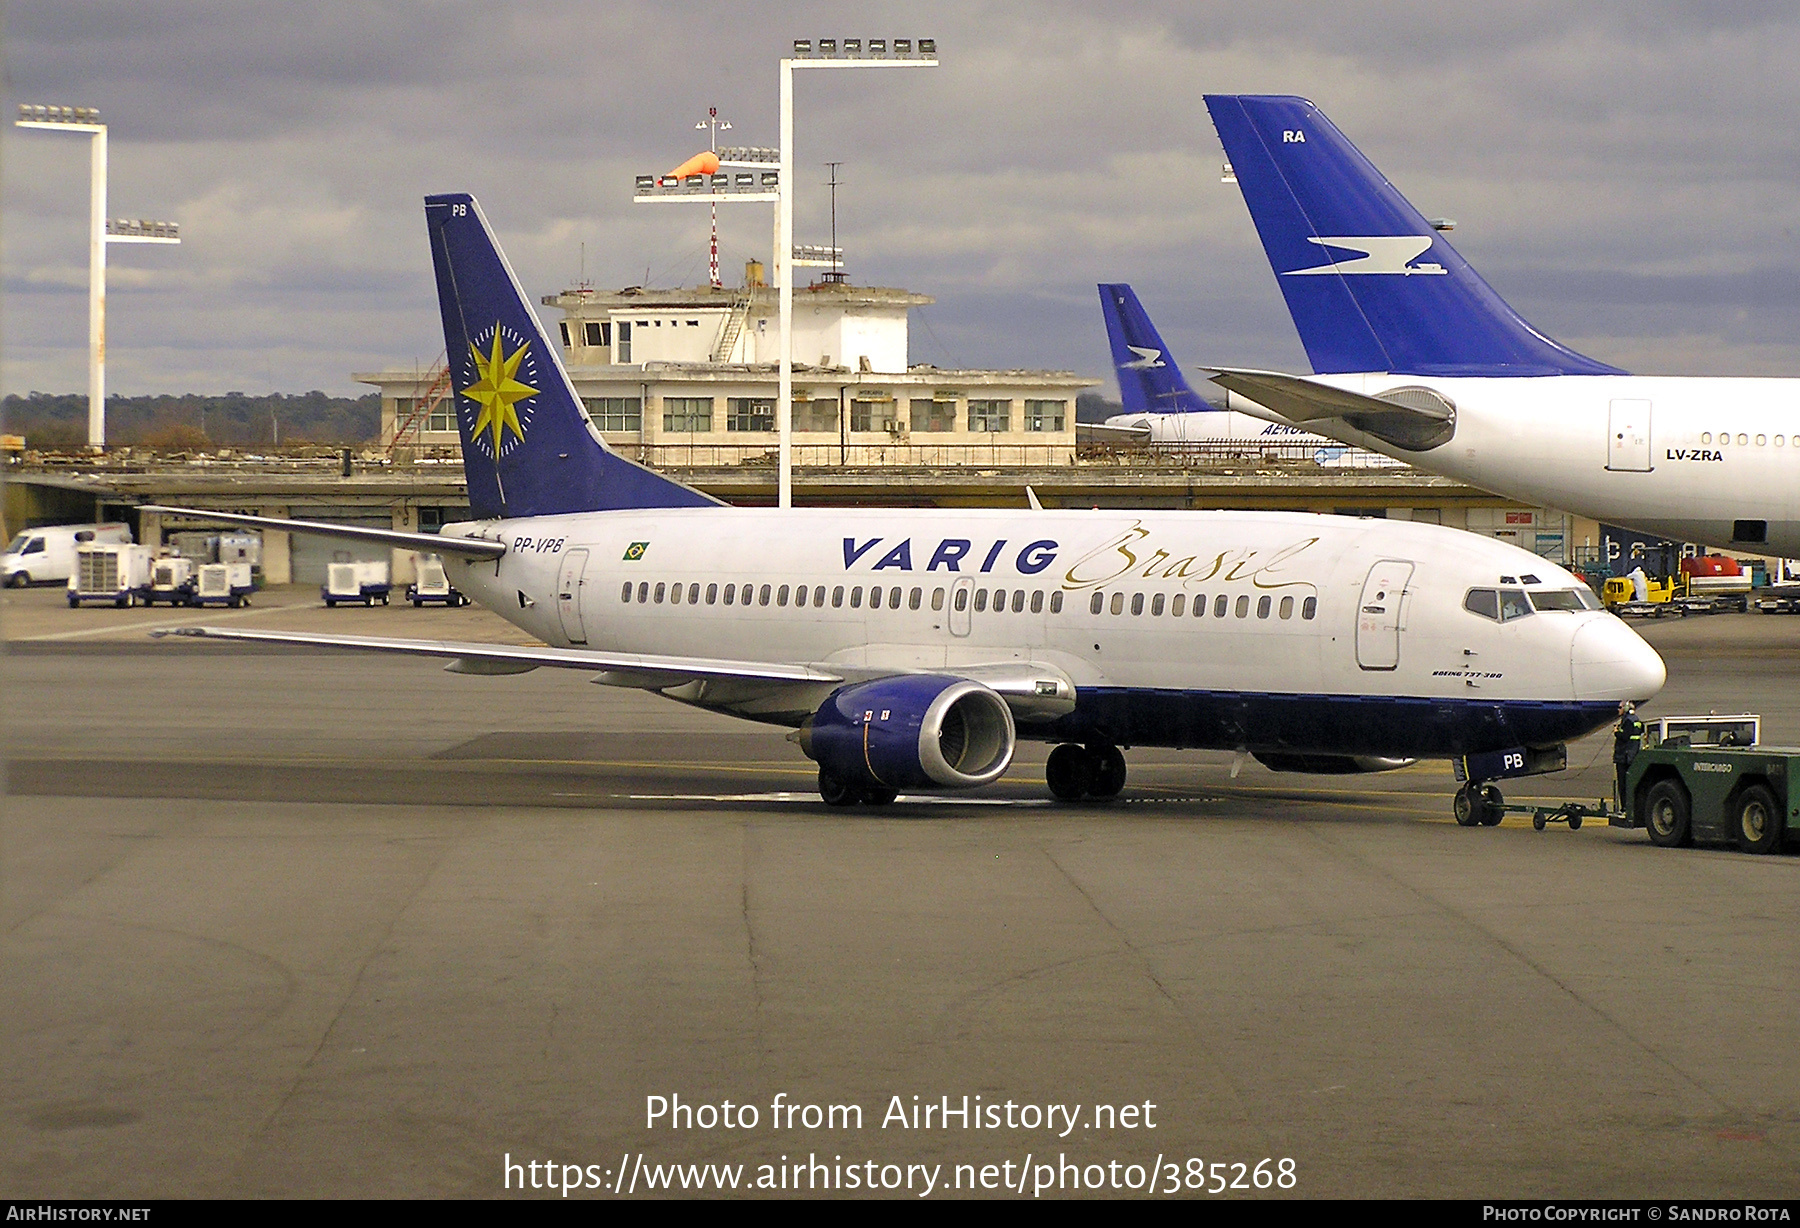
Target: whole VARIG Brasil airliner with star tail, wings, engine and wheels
<point>913,649</point>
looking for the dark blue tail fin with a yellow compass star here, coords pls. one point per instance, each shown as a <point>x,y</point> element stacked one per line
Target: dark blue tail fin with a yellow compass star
<point>528,446</point>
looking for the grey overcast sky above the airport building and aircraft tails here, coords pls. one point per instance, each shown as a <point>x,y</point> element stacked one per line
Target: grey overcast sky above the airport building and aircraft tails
<point>1626,174</point>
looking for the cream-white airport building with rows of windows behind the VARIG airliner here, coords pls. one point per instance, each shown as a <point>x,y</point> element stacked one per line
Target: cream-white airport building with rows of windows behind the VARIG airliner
<point>688,379</point>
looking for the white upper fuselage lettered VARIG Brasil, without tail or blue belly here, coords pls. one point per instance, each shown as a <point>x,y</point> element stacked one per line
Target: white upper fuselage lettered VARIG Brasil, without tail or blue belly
<point>1286,599</point>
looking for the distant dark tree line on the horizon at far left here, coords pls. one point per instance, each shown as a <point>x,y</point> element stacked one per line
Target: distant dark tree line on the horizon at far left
<point>53,420</point>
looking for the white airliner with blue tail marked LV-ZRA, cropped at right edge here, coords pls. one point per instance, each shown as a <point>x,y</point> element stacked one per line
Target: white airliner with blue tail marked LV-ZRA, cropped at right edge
<point>1417,357</point>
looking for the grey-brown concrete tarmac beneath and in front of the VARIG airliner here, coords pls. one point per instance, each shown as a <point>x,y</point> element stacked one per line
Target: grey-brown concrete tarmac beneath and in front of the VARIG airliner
<point>316,925</point>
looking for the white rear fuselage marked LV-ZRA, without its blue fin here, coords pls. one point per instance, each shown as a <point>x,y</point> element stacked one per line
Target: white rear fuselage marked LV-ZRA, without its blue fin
<point>1686,458</point>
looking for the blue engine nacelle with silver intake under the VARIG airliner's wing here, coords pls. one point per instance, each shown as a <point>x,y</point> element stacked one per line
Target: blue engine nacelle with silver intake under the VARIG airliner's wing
<point>913,732</point>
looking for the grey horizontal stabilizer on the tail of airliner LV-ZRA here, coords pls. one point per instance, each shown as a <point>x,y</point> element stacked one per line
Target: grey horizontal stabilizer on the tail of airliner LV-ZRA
<point>1412,424</point>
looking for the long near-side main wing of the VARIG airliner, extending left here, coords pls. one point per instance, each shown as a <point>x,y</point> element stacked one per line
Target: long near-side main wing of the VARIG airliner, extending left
<point>624,669</point>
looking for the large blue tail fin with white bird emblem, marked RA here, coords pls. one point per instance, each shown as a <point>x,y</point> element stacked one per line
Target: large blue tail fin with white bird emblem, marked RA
<point>1369,282</point>
